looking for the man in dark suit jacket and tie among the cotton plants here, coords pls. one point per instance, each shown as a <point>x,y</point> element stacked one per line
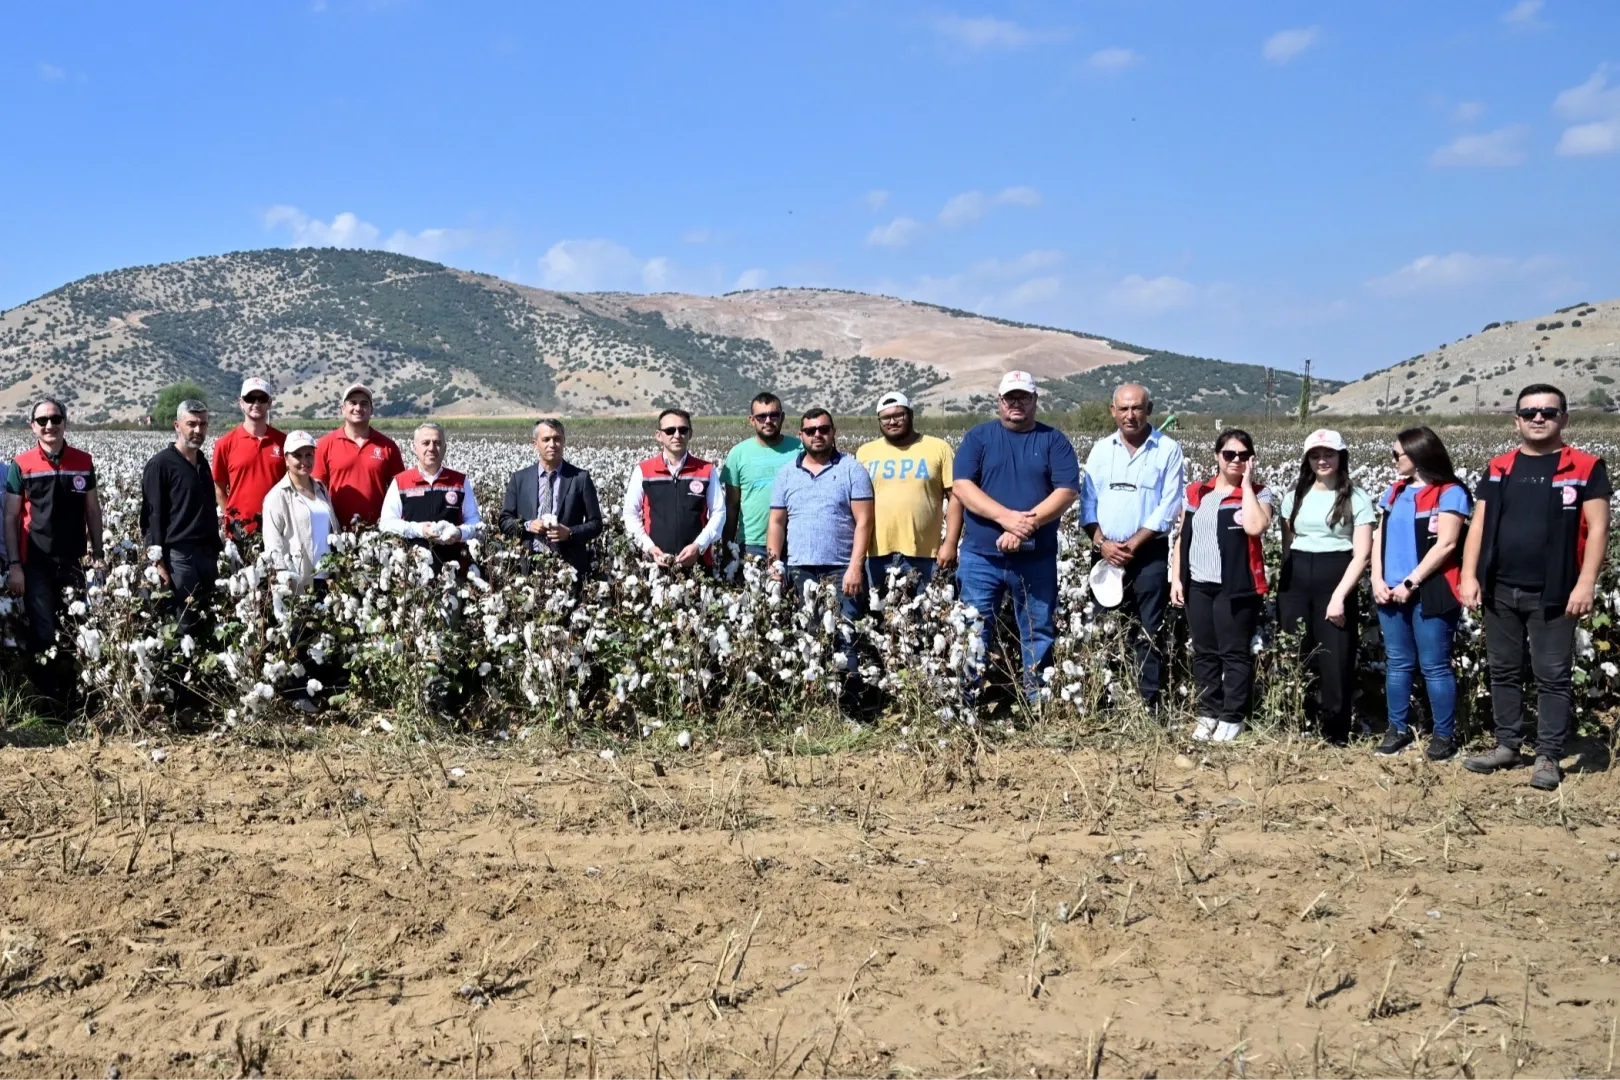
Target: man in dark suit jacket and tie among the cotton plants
<point>565,516</point>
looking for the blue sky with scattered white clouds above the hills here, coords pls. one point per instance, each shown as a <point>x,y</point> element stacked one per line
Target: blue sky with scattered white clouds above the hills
<point>1256,182</point>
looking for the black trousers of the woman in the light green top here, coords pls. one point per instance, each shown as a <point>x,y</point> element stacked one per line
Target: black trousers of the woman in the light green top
<point>1308,584</point>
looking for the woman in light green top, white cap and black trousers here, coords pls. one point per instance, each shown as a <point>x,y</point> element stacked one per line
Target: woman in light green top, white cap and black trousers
<point>1328,542</point>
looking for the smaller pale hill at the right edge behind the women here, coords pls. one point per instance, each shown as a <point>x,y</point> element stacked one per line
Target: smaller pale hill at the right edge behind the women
<point>1575,349</point>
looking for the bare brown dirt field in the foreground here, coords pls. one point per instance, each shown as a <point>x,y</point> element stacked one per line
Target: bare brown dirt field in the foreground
<point>382,909</point>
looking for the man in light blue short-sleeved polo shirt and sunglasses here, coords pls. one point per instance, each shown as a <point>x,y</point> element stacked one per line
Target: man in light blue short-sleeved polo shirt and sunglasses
<point>822,516</point>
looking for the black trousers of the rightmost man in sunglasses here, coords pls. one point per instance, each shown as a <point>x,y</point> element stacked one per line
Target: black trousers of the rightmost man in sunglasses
<point>1514,621</point>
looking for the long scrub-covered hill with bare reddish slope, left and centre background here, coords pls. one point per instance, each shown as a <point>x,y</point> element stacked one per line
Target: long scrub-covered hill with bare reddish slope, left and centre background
<point>430,339</point>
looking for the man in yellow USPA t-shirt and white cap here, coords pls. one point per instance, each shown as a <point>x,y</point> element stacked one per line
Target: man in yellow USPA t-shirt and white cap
<point>911,478</point>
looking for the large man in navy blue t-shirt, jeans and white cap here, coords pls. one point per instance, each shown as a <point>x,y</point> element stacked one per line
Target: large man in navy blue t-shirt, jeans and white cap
<point>1015,478</point>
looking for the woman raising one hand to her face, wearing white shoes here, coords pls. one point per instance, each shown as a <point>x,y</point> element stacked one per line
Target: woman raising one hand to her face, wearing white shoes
<point>1217,572</point>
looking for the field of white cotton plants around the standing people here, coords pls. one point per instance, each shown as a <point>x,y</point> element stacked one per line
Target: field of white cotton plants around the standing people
<point>650,653</point>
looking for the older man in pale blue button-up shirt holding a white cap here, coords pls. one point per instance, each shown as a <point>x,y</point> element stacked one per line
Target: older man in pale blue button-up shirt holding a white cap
<point>1130,503</point>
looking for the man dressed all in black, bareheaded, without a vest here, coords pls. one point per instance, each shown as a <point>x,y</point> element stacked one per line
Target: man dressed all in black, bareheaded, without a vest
<point>181,517</point>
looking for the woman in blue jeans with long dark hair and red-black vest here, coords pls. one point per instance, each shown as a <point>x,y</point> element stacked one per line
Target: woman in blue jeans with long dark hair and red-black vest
<point>1418,548</point>
